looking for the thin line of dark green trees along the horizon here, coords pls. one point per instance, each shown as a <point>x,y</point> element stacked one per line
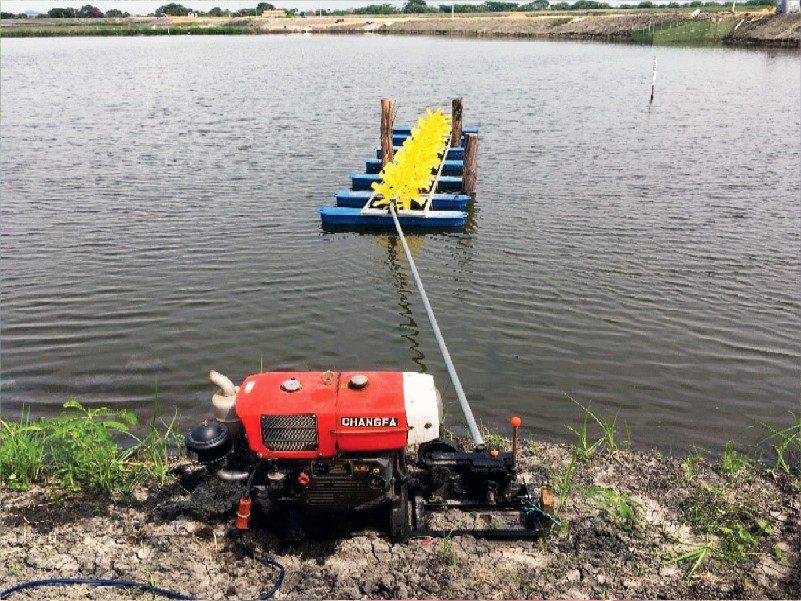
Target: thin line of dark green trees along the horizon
<point>412,6</point>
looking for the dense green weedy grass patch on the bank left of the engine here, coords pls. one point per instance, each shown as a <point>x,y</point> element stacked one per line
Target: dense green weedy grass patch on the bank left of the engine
<point>82,448</point>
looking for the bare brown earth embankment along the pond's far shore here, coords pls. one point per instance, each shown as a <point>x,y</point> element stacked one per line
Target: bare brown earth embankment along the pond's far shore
<point>753,28</point>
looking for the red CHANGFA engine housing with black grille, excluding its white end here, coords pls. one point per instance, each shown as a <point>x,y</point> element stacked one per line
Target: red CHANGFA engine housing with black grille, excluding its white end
<point>306,415</point>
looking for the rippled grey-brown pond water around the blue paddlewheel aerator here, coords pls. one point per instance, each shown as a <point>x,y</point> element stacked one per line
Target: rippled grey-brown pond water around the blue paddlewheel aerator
<point>159,219</point>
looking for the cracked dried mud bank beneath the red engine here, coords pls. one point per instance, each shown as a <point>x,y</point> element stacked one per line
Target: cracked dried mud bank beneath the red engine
<point>178,536</point>
